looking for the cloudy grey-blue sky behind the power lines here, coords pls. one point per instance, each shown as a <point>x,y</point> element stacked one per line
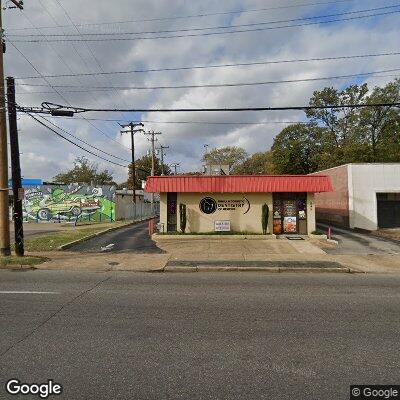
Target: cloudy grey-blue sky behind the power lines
<point>37,49</point>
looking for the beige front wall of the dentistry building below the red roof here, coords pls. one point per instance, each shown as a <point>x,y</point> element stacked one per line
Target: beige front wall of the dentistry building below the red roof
<point>197,221</point>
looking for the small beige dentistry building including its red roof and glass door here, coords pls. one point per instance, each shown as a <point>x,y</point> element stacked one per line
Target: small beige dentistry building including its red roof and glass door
<point>234,202</point>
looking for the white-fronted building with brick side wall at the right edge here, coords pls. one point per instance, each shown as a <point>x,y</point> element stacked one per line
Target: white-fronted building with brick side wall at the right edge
<point>365,196</point>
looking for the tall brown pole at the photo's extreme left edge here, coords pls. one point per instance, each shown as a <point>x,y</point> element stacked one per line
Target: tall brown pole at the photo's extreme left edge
<point>4,212</point>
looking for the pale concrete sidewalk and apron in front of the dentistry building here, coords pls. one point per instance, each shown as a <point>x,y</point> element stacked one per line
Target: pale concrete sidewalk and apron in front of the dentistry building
<point>214,252</point>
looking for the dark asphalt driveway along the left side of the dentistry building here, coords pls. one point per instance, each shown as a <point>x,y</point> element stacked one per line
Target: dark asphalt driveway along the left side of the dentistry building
<point>134,238</point>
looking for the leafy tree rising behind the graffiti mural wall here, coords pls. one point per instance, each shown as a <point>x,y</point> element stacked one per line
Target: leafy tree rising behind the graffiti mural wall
<point>85,171</point>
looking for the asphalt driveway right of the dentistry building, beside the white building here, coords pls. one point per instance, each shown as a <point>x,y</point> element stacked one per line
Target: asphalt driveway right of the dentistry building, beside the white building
<point>360,243</point>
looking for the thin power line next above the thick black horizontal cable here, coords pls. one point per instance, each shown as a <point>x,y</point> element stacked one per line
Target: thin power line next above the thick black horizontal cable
<point>211,85</point>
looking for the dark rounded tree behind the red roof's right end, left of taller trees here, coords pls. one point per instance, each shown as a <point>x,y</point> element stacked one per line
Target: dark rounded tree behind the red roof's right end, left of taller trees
<point>296,149</point>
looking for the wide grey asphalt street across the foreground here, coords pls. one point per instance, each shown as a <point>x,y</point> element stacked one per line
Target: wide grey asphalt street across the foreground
<point>199,336</point>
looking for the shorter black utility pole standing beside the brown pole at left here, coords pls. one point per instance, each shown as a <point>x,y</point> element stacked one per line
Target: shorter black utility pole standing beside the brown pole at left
<point>15,169</point>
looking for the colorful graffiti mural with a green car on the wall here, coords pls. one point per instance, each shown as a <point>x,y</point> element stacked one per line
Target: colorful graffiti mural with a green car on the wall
<point>69,202</point>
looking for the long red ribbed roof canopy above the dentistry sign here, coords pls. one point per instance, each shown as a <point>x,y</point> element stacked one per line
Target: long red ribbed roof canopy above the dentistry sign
<point>238,183</point>
